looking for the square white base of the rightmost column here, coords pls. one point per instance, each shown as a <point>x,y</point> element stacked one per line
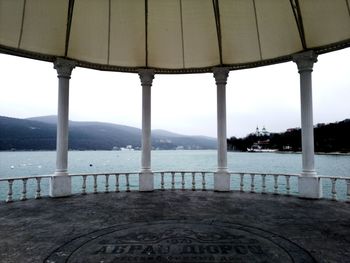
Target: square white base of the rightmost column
<point>310,187</point>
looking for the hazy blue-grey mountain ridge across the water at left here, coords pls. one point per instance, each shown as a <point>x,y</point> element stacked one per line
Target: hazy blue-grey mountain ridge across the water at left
<point>39,133</point>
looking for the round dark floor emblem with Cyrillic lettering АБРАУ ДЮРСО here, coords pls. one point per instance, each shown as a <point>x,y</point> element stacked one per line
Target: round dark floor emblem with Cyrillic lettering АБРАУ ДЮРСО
<point>181,242</point>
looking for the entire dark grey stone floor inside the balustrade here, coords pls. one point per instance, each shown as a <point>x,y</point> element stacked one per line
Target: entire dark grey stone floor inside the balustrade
<point>175,226</point>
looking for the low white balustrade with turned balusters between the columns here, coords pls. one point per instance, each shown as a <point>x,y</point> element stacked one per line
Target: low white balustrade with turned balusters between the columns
<point>334,187</point>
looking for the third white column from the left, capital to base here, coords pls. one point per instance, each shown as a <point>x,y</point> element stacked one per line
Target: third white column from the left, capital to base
<point>221,177</point>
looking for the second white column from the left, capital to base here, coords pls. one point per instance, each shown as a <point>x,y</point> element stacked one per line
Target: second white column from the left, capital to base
<point>146,181</point>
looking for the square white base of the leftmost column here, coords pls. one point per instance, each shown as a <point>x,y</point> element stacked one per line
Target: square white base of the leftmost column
<point>60,185</point>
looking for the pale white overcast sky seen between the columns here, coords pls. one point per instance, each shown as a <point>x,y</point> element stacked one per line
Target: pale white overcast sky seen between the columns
<point>186,104</point>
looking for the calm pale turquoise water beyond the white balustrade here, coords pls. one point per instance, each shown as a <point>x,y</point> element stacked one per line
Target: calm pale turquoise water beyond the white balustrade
<point>14,164</point>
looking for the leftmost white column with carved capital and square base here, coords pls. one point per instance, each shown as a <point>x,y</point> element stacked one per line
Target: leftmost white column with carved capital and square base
<point>60,183</point>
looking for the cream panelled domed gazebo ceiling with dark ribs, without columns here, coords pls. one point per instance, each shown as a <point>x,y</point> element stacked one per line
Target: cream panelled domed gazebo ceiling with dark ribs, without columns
<point>172,36</point>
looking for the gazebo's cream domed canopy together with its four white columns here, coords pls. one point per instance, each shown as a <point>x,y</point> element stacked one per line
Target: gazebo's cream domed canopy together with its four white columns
<point>152,37</point>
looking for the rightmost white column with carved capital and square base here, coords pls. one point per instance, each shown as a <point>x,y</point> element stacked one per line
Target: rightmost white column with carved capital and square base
<point>309,184</point>
